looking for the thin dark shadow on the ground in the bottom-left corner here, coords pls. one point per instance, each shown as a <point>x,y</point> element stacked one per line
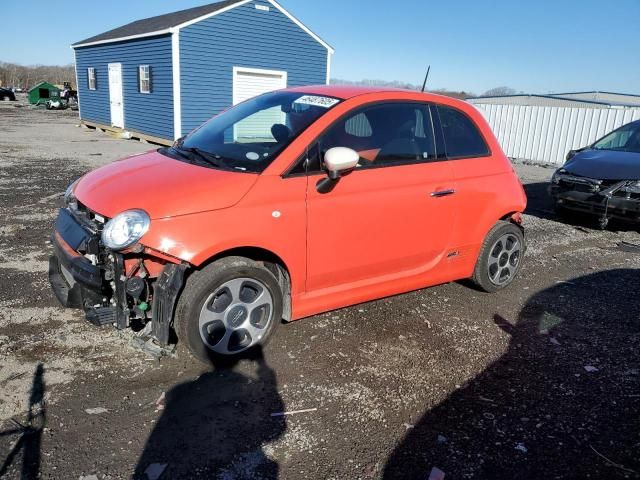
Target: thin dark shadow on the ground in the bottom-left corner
<point>28,445</point>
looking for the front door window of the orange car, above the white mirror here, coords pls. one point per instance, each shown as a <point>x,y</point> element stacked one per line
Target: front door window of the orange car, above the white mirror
<point>385,134</point>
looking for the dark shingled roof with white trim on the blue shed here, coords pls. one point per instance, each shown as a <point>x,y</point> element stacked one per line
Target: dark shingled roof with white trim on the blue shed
<point>162,24</point>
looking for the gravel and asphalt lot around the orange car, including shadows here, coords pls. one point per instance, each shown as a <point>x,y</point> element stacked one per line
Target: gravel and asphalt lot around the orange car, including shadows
<point>539,381</point>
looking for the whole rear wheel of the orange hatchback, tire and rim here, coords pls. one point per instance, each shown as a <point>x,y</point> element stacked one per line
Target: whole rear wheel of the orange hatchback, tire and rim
<point>500,257</point>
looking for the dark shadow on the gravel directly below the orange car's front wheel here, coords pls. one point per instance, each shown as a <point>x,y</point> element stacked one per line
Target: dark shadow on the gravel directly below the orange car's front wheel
<point>216,427</point>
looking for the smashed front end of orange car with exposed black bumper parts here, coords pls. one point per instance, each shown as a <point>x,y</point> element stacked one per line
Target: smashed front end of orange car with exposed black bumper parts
<point>120,288</point>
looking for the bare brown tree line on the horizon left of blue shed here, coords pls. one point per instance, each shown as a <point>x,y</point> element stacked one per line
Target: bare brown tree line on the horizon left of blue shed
<point>26,76</point>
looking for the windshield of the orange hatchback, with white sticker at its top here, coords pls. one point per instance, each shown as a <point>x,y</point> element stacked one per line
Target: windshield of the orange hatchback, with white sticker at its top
<point>249,136</point>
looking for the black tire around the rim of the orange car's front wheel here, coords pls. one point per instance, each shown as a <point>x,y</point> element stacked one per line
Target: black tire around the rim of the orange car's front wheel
<point>201,284</point>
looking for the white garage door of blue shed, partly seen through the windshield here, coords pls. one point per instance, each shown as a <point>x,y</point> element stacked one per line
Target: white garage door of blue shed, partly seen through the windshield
<point>249,83</point>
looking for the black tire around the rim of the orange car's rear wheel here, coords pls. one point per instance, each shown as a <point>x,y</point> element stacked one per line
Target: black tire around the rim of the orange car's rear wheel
<point>481,275</point>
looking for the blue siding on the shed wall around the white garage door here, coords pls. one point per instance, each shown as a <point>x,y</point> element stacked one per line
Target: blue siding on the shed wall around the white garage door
<point>242,37</point>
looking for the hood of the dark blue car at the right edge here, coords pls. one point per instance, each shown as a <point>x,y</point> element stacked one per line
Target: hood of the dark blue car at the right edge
<point>605,165</point>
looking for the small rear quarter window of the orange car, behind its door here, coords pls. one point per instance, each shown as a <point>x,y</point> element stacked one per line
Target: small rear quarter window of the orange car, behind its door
<point>461,136</point>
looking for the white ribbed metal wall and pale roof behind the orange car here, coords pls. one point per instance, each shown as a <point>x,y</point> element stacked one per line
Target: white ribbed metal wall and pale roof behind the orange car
<point>543,128</point>
